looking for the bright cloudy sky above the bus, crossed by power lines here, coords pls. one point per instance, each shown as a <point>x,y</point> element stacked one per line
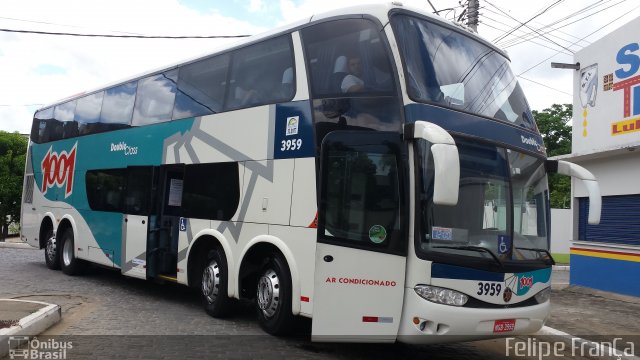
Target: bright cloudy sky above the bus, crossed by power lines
<point>36,70</point>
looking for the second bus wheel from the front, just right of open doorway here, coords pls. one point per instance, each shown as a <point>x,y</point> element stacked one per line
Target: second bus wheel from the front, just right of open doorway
<point>213,285</point>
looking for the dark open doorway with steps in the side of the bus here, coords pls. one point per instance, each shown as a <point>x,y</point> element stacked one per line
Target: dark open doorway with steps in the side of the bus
<point>162,243</point>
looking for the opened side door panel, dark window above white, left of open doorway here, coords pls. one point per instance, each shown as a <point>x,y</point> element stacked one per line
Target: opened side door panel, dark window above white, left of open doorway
<point>138,203</point>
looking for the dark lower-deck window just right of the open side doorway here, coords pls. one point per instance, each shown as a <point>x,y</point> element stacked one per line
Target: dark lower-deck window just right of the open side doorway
<point>211,191</point>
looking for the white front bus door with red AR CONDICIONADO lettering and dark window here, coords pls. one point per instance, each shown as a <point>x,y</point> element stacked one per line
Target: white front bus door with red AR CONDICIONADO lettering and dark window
<point>361,248</point>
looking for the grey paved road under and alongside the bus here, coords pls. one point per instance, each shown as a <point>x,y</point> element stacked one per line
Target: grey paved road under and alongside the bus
<point>106,315</point>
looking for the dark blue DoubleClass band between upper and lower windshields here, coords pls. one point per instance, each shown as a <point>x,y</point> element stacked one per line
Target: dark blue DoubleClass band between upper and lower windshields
<point>477,126</point>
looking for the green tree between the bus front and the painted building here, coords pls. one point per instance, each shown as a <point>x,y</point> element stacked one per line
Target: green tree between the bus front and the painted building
<point>556,132</point>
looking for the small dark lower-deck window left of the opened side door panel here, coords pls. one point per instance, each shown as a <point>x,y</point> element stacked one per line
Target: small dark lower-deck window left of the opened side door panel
<point>106,189</point>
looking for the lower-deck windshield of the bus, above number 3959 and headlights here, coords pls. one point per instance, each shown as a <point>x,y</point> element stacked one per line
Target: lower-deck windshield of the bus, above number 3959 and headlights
<point>501,212</point>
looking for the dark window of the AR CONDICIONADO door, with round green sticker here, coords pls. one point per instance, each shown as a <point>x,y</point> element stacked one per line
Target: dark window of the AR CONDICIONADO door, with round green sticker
<point>360,193</point>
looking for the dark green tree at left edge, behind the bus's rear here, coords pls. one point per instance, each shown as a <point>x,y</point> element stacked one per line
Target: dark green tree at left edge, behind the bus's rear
<point>13,149</point>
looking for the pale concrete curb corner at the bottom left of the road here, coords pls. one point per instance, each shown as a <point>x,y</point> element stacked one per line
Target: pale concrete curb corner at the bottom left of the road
<point>32,324</point>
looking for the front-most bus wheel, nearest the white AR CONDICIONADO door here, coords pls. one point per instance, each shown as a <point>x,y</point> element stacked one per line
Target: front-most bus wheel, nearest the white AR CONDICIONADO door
<point>273,297</point>
